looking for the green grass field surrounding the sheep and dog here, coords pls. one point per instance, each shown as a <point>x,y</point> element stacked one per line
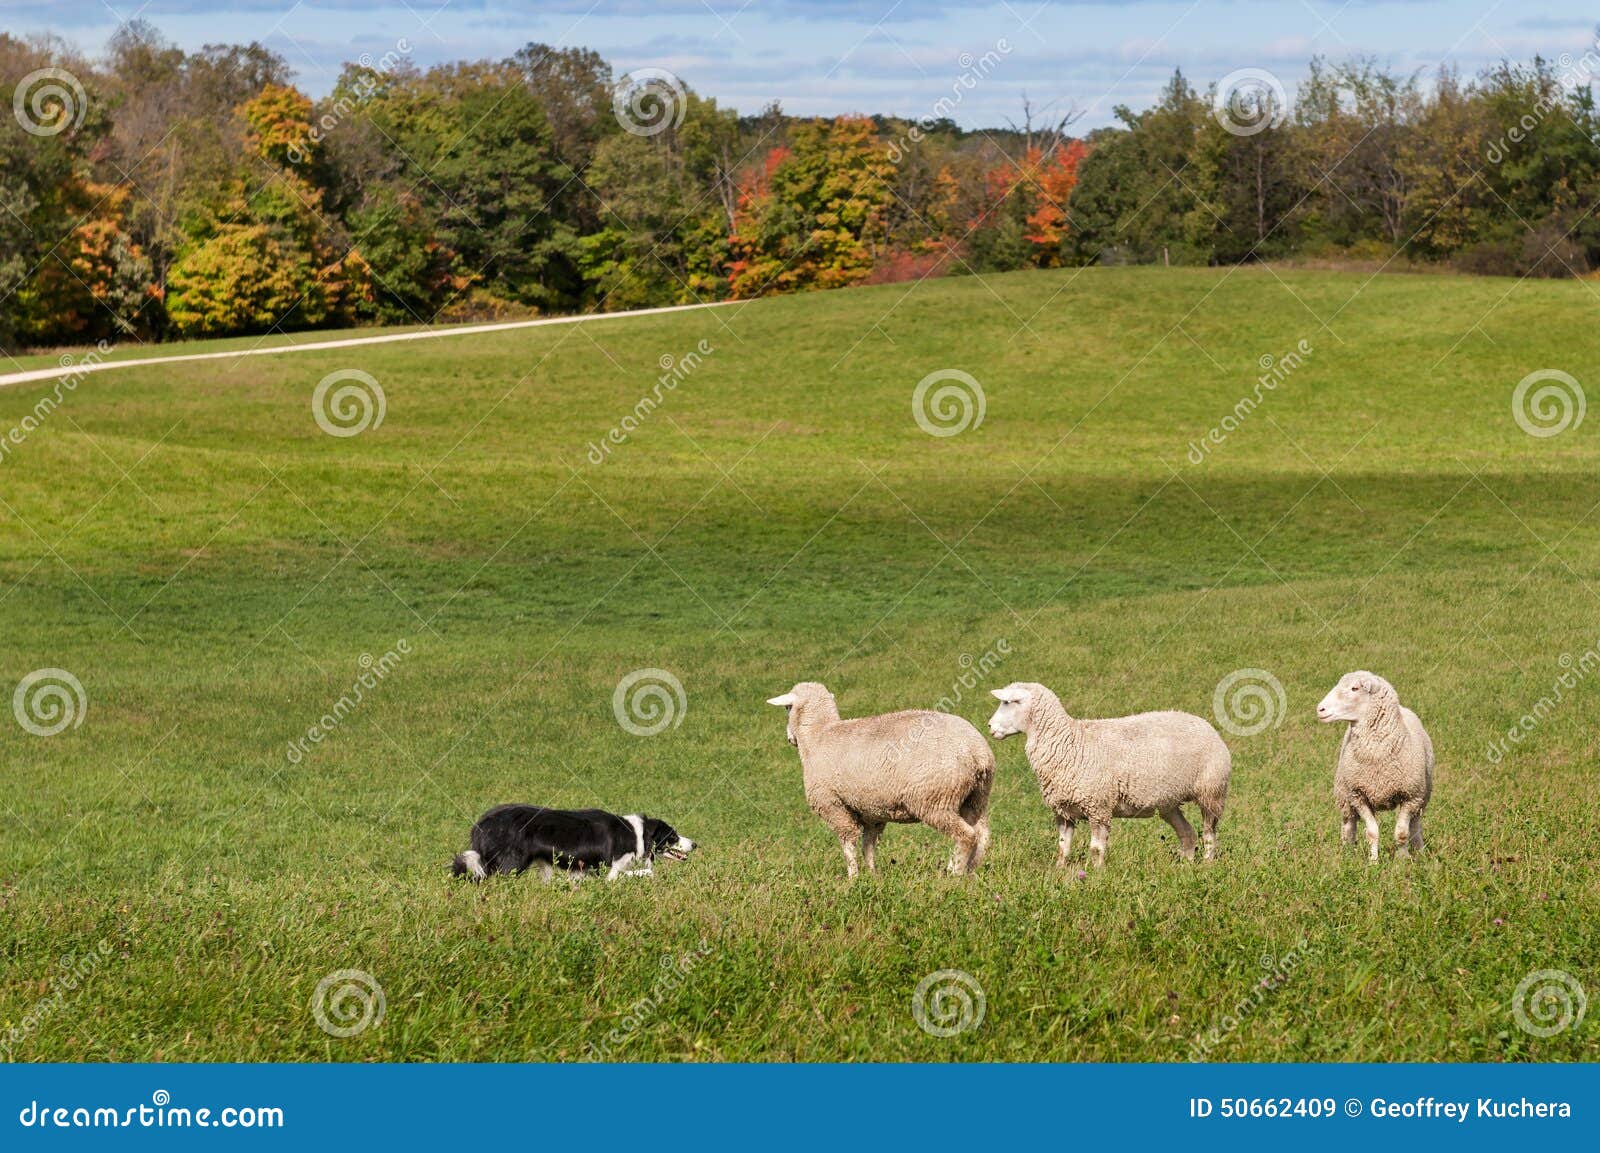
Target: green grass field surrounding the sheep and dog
<point>212,569</point>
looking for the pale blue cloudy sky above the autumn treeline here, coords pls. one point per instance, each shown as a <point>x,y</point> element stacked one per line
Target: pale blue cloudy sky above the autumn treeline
<point>895,57</point>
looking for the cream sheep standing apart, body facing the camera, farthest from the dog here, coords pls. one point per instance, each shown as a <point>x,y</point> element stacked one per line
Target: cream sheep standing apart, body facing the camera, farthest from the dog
<point>1386,760</point>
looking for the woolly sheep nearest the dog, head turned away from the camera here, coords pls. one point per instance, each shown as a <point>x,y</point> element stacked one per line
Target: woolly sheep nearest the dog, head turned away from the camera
<point>868,772</point>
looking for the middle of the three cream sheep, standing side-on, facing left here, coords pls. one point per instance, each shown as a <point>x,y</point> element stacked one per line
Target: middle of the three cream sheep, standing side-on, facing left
<point>1126,767</point>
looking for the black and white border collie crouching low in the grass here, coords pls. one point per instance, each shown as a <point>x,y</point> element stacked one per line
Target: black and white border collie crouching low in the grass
<point>511,839</point>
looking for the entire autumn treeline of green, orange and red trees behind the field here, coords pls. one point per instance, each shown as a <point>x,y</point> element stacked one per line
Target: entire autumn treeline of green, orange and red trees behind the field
<point>162,194</point>
